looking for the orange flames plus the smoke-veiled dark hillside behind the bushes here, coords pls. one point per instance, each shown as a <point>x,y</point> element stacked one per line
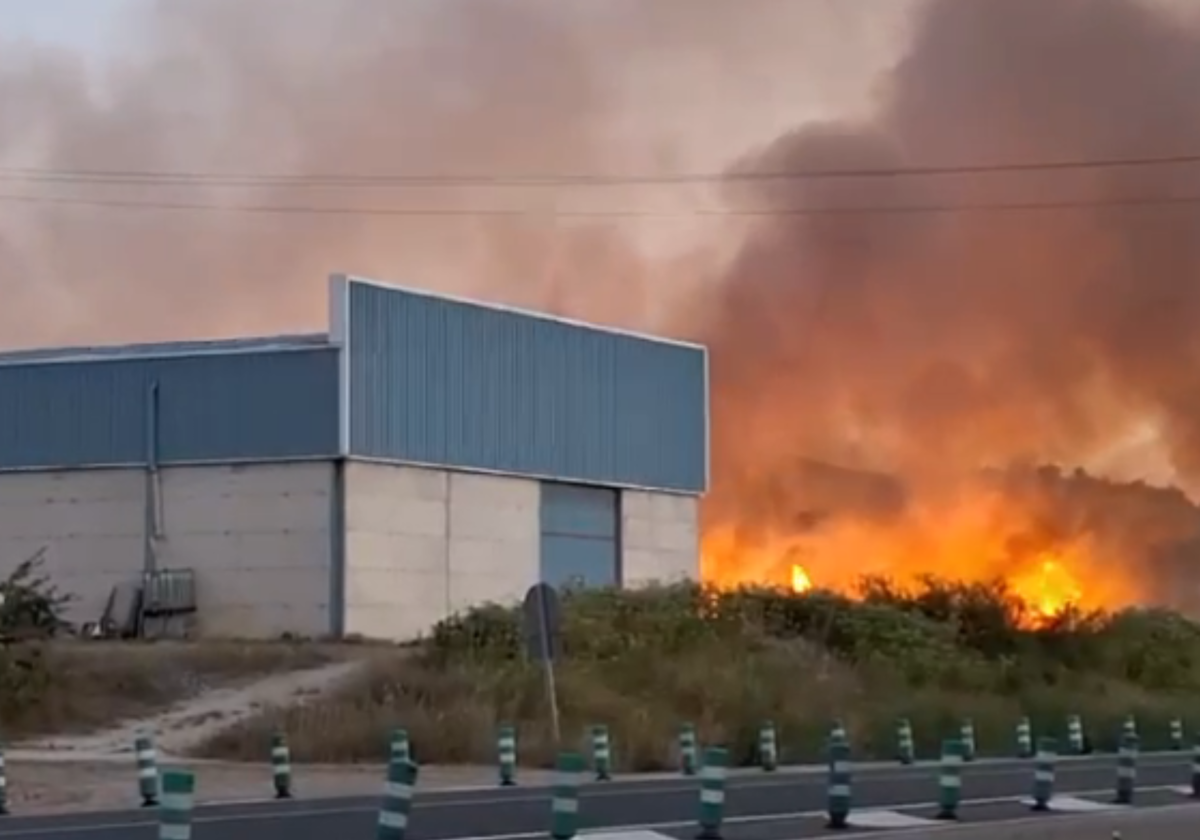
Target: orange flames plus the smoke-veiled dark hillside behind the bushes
<point>1055,542</point>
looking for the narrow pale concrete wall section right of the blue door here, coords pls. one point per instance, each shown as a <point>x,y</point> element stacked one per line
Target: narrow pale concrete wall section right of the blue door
<point>659,538</point>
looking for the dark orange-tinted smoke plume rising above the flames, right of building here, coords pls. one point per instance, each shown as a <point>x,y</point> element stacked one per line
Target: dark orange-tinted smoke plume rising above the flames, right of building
<point>932,344</point>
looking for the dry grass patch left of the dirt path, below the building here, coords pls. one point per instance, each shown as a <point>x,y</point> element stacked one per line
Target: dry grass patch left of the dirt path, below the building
<point>74,687</point>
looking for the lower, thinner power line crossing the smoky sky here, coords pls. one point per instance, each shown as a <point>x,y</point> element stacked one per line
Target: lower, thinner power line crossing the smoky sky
<point>1148,202</point>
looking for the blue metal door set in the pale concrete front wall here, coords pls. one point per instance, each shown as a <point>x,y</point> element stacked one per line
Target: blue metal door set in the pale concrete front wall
<point>580,543</point>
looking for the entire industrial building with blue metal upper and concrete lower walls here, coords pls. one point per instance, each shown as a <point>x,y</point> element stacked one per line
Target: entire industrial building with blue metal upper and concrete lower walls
<point>423,457</point>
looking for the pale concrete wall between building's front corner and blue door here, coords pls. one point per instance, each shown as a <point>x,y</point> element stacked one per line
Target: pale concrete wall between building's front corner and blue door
<point>423,544</point>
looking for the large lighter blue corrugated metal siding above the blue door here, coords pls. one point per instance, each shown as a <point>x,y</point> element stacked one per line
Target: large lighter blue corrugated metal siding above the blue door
<point>449,383</point>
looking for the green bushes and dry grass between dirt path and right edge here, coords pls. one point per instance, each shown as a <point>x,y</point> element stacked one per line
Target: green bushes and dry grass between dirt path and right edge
<point>645,662</point>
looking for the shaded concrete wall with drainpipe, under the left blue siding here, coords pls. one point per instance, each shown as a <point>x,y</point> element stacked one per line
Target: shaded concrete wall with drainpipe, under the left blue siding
<point>259,538</point>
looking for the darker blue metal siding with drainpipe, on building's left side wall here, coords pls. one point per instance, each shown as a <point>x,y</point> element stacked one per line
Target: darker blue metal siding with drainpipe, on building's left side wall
<point>211,409</point>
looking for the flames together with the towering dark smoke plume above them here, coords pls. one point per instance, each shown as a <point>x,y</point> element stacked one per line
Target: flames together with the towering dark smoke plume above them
<point>929,344</point>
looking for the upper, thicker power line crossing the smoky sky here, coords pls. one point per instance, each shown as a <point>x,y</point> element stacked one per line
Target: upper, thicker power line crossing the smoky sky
<point>211,179</point>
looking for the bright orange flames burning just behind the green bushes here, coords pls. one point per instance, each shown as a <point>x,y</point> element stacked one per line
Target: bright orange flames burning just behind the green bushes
<point>974,539</point>
